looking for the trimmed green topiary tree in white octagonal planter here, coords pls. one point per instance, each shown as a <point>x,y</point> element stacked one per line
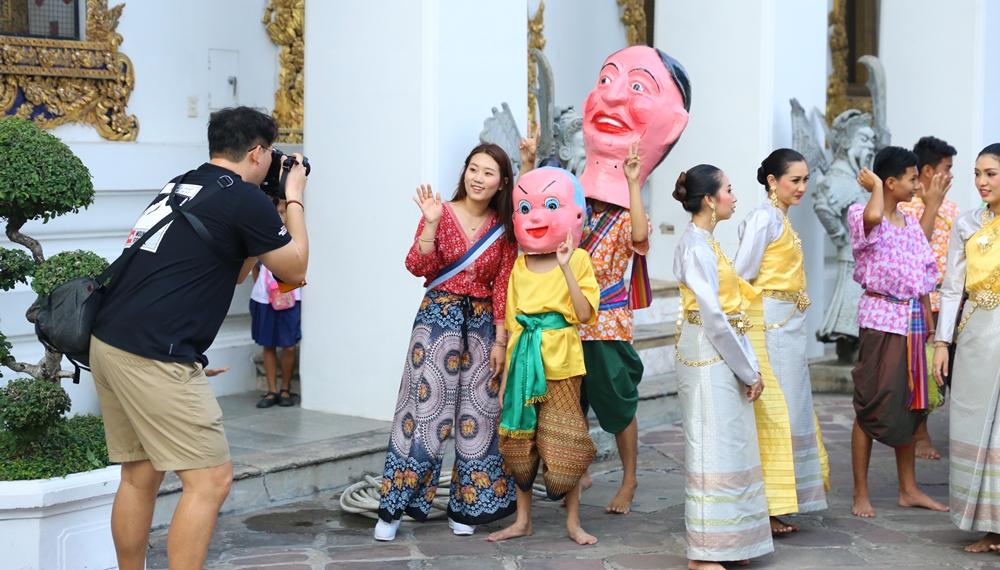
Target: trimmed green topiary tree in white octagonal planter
<point>56,485</point>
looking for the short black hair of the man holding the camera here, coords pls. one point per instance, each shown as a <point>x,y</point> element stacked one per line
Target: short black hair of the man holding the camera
<point>233,132</point>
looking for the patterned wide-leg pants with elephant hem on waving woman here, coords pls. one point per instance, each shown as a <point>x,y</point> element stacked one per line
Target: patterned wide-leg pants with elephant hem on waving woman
<point>446,390</point>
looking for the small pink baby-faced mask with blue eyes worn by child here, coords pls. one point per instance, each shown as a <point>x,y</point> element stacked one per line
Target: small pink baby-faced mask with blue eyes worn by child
<point>548,203</point>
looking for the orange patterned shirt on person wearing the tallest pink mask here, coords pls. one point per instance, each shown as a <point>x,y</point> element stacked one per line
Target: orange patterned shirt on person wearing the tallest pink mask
<point>610,259</point>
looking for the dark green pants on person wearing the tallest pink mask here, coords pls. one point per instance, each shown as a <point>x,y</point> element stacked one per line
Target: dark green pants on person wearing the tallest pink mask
<point>611,385</point>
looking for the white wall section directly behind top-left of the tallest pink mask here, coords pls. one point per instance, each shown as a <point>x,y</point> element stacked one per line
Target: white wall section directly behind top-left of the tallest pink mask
<point>579,36</point>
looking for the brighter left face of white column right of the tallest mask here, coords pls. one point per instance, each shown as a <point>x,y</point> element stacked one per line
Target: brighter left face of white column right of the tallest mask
<point>724,48</point>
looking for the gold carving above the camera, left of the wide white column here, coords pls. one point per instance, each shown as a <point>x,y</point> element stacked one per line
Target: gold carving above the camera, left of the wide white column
<point>285,21</point>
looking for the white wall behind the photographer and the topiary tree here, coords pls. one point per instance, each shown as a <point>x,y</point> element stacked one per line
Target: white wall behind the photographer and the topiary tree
<point>168,44</point>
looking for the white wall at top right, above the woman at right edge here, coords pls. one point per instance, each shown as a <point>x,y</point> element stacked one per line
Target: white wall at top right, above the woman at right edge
<point>934,53</point>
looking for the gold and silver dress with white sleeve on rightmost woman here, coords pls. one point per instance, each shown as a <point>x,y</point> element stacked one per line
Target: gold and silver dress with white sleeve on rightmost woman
<point>974,266</point>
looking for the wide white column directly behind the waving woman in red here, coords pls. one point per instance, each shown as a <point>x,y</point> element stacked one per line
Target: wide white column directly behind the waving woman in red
<point>396,92</point>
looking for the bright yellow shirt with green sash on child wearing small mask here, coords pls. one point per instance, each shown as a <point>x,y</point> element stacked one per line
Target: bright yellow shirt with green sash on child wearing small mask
<point>530,293</point>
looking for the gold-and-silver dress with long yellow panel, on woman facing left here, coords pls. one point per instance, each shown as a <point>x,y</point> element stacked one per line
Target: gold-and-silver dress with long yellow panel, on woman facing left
<point>794,460</point>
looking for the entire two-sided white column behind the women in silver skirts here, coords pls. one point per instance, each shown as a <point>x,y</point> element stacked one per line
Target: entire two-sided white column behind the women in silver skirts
<point>745,60</point>
